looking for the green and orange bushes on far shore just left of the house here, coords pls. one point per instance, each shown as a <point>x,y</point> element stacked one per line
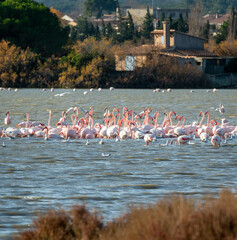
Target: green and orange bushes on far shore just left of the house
<point>87,65</point>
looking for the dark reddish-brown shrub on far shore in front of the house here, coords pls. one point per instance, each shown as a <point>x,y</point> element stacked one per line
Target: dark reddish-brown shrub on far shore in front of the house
<point>163,72</point>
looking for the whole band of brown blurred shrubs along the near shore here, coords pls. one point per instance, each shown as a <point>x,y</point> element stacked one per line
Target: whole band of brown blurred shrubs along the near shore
<point>170,218</point>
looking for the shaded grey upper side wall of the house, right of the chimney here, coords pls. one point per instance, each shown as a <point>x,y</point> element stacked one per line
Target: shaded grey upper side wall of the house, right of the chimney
<point>184,41</point>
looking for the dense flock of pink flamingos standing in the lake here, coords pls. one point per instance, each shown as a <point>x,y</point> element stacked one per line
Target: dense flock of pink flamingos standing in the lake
<point>124,125</point>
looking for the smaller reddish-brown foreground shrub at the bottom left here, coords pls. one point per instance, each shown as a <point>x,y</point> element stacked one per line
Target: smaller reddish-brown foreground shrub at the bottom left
<point>79,223</point>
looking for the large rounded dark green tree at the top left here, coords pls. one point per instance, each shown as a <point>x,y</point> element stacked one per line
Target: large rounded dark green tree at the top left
<point>27,23</point>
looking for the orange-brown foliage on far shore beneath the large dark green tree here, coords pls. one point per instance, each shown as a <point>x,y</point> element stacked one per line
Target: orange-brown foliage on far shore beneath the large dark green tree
<point>22,68</point>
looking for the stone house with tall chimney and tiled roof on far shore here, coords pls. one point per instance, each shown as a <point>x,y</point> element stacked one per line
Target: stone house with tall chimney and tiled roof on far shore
<point>187,49</point>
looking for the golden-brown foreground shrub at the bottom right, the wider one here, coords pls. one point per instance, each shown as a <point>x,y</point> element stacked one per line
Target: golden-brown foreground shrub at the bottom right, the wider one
<point>178,218</point>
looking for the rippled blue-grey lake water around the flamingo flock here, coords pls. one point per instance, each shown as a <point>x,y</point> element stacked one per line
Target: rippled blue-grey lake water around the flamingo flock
<point>36,175</point>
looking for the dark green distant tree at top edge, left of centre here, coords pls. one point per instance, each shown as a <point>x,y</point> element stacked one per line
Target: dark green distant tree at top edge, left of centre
<point>96,7</point>
